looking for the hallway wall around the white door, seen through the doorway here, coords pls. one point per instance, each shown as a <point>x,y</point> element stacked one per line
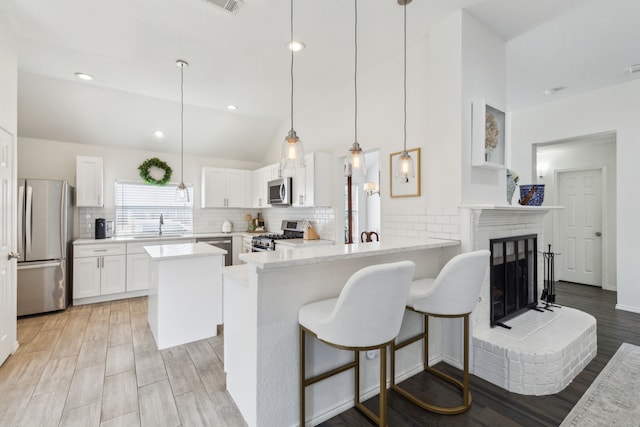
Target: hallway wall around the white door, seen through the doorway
<point>584,156</point>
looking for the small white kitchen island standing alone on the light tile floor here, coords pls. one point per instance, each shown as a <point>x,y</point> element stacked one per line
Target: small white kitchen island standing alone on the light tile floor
<point>185,297</point>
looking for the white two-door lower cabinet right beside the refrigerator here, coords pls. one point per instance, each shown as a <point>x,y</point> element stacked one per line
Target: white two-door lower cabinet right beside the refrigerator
<point>99,269</point>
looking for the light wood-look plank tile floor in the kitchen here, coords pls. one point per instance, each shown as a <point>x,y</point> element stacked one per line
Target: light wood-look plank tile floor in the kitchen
<point>97,365</point>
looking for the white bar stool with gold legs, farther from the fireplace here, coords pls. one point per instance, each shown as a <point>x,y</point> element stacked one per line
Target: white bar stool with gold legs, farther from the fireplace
<point>366,316</point>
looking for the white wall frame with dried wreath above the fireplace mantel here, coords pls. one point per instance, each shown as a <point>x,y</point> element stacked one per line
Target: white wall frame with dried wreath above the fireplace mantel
<point>489,136</point>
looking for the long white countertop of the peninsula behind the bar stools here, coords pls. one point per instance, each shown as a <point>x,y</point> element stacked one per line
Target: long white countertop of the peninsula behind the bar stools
<point>318,254</point>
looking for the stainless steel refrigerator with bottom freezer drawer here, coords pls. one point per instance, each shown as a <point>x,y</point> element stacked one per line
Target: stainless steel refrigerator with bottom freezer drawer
<point>45,224</point>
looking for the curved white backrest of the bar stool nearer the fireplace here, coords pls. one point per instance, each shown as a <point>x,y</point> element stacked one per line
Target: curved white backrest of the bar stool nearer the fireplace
<point>457,287</point>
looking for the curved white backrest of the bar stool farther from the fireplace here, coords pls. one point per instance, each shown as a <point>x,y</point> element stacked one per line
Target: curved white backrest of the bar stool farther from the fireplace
<point>370,307</point>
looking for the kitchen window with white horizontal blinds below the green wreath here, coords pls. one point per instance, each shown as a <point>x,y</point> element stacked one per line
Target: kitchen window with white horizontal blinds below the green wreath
<point>139,206</point>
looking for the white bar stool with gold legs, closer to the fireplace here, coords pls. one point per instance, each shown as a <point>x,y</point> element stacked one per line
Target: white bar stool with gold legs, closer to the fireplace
<point>454,293</point>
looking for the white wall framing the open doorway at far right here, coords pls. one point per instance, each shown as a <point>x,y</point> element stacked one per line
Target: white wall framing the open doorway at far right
<point>612,109</point>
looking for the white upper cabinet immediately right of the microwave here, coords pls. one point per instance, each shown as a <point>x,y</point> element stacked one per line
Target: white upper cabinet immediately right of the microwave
<point>312,184</point>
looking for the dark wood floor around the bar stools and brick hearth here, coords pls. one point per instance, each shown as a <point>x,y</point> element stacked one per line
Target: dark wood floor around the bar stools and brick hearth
<point>493,406</point>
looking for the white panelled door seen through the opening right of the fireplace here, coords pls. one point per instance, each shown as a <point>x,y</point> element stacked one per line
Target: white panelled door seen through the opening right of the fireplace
<point>581,226</point>
